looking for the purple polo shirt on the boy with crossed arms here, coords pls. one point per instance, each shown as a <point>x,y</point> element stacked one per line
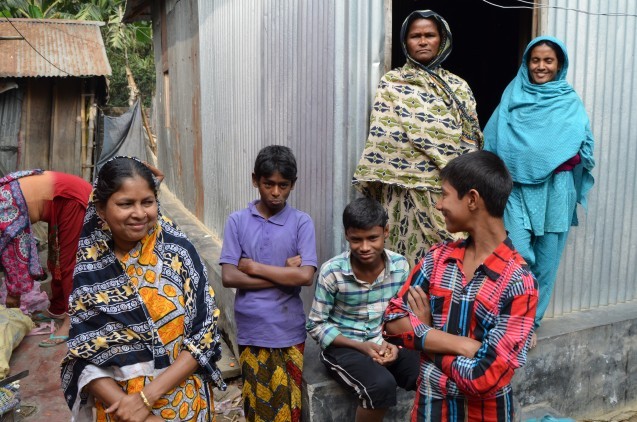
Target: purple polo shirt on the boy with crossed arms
<point>271,317</point>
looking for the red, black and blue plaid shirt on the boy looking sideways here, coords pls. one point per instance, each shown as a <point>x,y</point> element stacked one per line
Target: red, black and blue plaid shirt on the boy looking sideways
<point>496,307</point>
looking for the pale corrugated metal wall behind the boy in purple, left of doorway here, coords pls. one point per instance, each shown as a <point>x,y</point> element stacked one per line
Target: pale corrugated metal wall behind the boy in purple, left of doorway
<point>297,73</point>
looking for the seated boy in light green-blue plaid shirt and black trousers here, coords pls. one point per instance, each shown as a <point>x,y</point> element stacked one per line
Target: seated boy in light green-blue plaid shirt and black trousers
<point>352,292</point>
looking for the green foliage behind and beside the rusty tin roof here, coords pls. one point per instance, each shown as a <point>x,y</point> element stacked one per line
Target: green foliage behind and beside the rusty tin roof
<point>126,44</point>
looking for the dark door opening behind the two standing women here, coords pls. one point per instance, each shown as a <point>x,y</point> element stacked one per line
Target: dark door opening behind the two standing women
<point>488,43</point>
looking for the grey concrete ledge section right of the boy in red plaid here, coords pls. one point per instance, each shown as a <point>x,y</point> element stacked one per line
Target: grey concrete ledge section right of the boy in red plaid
<point>585,363</point>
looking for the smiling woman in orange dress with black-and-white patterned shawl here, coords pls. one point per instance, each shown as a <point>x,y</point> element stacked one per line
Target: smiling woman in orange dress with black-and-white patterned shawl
<point>143,341</point>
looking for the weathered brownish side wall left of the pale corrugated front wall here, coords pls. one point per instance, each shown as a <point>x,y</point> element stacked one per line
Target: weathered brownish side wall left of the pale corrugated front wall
<point>177,76</point>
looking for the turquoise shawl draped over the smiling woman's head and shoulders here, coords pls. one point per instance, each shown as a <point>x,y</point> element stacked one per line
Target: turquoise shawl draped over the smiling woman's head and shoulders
<point>537,127</point>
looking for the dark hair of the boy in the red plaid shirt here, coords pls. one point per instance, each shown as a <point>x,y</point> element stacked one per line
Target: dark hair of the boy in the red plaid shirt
<point>486,173</point>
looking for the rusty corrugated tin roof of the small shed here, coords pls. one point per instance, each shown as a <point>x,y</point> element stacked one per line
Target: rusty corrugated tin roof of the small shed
<point>52,47</point>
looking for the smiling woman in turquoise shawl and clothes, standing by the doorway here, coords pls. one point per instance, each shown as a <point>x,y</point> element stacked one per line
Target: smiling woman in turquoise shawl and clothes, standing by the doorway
<point>542,132</point>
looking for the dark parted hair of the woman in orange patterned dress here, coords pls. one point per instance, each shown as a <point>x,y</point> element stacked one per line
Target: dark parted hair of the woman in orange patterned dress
<point>114,172</point>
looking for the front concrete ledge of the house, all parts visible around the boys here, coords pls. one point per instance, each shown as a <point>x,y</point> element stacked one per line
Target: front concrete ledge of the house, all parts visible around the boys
<point>585,364</point>
